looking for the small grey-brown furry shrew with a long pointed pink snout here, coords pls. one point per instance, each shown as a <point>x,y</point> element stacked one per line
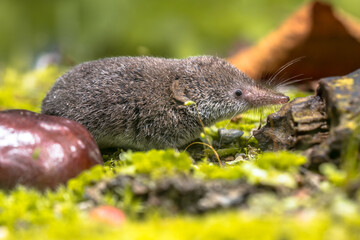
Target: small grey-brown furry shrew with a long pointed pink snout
<point>138,102</point>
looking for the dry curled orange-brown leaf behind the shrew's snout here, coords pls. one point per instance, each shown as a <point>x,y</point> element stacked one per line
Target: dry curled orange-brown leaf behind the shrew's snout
<point>327,41</point>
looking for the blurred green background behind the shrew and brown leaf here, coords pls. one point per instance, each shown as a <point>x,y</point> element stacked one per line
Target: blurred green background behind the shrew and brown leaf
<point>80,30</point>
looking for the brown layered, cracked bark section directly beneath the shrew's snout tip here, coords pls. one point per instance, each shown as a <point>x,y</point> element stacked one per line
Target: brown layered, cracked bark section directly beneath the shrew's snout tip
<point>299,124</point>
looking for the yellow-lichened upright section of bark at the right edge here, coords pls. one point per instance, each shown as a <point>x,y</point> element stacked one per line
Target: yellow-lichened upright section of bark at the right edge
<point>342,98</point>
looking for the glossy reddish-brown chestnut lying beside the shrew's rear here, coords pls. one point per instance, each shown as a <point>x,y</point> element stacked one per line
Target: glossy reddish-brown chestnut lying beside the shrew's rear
<point>43,151</point>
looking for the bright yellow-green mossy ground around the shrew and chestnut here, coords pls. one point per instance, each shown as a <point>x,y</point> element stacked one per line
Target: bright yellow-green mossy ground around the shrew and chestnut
<point>304,205</point>
